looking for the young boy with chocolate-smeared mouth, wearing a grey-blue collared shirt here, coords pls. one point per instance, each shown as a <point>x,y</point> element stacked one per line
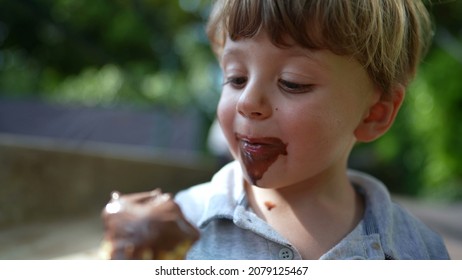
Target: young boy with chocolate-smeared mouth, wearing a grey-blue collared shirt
<point>303,82</point>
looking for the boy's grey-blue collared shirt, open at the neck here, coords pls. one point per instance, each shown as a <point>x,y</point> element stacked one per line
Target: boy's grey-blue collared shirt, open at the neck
<point>231,230</point>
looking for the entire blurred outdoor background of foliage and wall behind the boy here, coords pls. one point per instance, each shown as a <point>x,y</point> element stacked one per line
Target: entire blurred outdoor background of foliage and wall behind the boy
<point>109,95</point>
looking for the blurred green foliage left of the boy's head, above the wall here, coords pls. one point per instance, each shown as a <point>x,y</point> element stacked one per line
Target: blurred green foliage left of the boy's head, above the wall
<point>107,52</point>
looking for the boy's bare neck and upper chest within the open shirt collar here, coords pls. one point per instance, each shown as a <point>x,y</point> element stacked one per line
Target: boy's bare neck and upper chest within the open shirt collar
<point>312,215</point>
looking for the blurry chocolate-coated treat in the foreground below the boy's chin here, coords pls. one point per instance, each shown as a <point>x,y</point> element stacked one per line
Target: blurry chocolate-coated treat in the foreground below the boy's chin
<point>146,225</point>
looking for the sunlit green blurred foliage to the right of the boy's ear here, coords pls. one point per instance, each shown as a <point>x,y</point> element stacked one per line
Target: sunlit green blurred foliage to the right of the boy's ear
<point>422,152</point>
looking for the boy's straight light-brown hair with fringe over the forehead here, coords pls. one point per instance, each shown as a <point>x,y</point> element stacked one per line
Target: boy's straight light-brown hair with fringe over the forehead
<point>388,37</point>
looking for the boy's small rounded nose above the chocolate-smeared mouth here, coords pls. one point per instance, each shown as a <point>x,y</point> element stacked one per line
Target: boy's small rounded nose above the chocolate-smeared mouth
<point>254,103</point>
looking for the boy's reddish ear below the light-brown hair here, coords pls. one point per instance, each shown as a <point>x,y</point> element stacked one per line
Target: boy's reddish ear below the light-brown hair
<point>381,116</point>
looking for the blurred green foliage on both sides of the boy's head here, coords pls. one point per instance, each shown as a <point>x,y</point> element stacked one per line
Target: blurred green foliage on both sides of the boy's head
<point>146,52</point>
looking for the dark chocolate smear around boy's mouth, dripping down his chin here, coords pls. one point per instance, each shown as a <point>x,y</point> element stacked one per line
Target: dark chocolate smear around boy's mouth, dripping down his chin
<point>258,155</point>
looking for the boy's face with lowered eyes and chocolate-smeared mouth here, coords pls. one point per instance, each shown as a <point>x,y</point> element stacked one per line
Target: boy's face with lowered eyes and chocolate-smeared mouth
<point>290,114</point>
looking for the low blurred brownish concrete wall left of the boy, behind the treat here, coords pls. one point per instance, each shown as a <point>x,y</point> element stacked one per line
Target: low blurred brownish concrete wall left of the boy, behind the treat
<point>42,178</point>
